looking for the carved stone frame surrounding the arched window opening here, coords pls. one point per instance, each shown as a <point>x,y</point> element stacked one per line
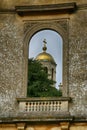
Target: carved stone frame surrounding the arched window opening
<point>32,27</point>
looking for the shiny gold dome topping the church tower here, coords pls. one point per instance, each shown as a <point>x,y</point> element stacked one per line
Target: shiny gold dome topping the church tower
<point>45,57</point>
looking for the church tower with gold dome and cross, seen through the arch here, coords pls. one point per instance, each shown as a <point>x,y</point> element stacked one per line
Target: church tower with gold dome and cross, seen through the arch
<point>48,62</point>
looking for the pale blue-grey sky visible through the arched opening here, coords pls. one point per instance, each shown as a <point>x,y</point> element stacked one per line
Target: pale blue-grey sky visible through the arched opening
<point>54,47</point>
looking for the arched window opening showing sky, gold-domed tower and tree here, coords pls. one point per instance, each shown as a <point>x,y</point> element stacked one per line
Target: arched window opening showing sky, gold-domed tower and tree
<point>45,50</point>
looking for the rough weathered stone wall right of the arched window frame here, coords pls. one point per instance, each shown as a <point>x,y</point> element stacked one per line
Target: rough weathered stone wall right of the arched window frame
<point>78,62</point>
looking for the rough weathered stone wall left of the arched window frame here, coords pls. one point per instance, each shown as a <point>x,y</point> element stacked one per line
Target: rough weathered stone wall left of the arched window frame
<point>11,63</point>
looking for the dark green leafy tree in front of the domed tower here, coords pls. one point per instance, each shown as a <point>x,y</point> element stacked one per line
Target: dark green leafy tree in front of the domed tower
<point>38,83</point>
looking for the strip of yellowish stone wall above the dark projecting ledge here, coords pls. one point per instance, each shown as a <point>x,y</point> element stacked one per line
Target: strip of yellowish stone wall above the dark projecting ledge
<point>10,3</point>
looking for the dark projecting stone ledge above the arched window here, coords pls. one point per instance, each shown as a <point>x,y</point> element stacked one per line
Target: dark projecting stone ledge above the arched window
<point>60,8</point>
